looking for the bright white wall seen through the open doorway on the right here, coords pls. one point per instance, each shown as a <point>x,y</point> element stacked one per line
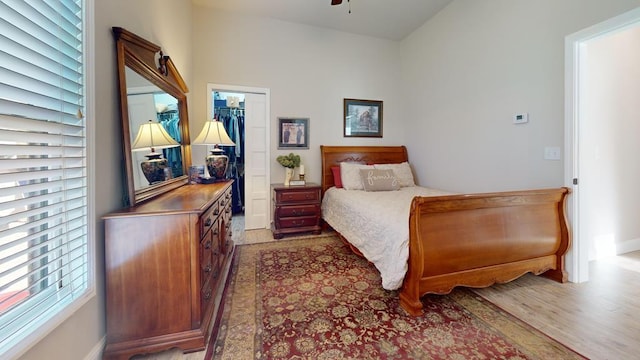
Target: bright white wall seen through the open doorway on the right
<point>609,128</point>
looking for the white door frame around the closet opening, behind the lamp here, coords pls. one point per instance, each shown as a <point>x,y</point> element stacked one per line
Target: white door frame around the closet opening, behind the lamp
<point>249,90</point>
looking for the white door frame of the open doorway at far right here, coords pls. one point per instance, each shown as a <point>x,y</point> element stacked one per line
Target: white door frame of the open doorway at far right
<point>577,257</point>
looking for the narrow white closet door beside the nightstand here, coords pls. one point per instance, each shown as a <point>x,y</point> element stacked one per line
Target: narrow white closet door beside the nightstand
<point>256,182</point>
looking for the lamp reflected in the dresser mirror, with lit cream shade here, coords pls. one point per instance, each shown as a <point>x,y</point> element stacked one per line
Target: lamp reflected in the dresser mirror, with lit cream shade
<point>152,137</point>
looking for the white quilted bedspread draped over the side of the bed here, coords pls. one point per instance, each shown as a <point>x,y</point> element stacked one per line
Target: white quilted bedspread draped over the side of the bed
<point>377,223</point>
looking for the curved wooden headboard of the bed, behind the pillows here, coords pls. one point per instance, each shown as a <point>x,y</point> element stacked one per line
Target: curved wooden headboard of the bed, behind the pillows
<point>334,155</point>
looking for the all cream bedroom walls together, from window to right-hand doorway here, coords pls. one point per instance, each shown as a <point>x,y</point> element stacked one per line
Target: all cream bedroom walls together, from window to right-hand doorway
<point>464,74</point>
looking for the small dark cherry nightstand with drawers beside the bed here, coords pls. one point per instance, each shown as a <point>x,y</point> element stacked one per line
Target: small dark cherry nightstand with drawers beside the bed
<point>296,209</point>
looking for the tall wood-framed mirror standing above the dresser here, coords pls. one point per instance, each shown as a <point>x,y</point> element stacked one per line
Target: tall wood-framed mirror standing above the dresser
<point>152,93</point>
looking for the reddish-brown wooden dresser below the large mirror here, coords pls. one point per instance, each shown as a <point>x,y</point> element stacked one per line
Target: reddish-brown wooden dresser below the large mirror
<point>166,262</point>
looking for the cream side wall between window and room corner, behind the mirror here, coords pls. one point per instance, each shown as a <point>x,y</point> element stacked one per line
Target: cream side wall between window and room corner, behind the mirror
<point>167,23</point>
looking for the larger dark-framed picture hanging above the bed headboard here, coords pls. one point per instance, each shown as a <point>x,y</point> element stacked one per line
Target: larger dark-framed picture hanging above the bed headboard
<point>362,118</point>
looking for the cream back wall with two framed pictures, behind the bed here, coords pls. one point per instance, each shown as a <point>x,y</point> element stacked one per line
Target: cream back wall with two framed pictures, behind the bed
<point>308,70</point>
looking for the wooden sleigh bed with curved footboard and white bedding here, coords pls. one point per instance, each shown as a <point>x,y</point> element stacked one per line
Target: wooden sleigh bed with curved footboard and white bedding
<point>448,240</point>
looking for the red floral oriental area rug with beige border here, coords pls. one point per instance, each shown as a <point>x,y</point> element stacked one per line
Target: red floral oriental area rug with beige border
<point>315,299</point>
